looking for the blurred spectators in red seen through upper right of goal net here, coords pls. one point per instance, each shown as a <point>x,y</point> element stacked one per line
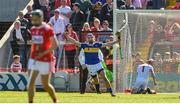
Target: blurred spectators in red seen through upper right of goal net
<point>164,29</point>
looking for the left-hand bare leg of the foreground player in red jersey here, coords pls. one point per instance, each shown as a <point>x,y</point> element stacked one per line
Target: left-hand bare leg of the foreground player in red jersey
<point>31,84</point>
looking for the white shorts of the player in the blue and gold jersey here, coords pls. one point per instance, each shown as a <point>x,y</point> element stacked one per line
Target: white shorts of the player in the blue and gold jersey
<point>93,69</point>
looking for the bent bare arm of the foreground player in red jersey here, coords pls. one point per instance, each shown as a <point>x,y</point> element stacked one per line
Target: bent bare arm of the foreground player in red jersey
<point>53,47</point>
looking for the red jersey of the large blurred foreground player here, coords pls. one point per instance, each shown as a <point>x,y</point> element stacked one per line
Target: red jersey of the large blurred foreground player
<point>41,42</point>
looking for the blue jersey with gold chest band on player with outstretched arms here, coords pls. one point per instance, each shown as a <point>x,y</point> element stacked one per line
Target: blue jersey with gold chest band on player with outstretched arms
<point>91,52</point>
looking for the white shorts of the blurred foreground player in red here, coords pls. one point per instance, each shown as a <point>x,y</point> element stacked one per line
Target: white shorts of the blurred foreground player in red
<point>42,67</point>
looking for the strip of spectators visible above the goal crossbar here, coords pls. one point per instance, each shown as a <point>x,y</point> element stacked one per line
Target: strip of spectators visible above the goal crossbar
<point>149,4</point>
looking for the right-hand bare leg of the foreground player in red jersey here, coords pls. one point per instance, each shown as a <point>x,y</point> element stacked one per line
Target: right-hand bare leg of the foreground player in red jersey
<point>45,79</point>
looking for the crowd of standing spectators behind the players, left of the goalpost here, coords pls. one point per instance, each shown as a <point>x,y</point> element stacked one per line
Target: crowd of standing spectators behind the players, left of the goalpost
<point>76,17</point>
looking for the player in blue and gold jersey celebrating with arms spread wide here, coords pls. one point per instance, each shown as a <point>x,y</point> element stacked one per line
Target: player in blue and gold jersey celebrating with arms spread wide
<point>93,60</point>
